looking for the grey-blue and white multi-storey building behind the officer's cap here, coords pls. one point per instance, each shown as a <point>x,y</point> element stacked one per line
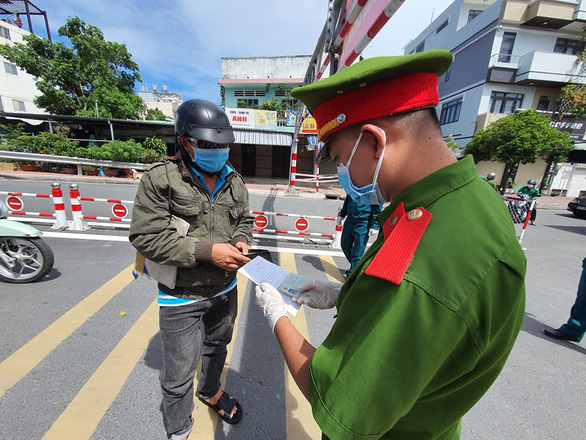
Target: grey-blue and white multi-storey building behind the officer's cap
<point>508,55</point>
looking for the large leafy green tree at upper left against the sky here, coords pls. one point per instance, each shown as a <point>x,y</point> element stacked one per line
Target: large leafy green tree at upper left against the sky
<point>72,79</point>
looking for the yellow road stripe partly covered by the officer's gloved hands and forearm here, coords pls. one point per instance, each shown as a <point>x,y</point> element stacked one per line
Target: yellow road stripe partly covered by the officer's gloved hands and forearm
<point>300,422</point>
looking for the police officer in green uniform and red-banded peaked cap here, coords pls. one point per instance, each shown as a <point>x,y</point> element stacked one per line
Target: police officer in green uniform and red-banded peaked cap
<point>427,319</point>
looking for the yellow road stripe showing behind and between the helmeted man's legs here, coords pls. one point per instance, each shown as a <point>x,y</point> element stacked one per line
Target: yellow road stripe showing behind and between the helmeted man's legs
<point>206,419</point>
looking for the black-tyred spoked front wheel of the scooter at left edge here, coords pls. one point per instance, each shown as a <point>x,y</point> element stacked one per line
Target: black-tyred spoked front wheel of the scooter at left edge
<point>24,260</point>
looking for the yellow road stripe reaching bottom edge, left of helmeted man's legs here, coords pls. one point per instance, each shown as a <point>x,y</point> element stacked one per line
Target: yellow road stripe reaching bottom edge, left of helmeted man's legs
<point>82,415</point>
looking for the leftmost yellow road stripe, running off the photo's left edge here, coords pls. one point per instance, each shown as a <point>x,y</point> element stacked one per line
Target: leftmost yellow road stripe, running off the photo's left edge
<point>17,365</point>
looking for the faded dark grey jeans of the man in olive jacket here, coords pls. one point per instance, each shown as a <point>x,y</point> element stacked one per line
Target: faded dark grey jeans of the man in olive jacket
<point>182,348</point>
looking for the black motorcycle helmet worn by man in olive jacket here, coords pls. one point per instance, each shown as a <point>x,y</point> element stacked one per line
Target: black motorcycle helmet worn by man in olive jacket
<point>204,121</point>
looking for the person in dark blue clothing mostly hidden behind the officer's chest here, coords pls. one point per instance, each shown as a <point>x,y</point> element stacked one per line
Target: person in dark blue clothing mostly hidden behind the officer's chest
<point>359,219</point>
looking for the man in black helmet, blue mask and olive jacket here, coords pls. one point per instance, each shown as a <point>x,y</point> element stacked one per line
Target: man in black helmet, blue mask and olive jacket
<point>199,186</point>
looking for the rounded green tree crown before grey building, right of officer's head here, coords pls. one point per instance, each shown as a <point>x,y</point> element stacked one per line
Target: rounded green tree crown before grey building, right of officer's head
<point>520,138</point>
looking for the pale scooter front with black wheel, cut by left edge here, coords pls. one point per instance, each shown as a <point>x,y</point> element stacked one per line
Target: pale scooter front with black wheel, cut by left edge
<point>24,256</point>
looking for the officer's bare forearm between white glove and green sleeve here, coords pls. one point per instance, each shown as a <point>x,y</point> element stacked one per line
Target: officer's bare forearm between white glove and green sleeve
<point>297,352</point>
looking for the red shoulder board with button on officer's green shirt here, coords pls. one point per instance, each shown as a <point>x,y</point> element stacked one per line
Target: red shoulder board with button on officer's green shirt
<point>402,232</point>
